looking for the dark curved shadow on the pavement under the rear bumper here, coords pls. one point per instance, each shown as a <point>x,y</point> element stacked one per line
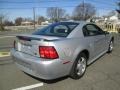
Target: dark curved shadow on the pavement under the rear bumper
<point>48,81</point>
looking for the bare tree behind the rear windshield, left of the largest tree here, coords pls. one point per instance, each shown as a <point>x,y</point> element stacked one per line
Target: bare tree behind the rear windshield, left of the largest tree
<point>55,13</point>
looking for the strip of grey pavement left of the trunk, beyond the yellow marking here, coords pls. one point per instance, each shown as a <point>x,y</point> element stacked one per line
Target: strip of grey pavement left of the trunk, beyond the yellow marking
<point>7,38</point>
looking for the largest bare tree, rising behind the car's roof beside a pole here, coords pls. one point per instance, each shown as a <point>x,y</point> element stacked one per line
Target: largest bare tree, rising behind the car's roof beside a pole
<point>84,11</point>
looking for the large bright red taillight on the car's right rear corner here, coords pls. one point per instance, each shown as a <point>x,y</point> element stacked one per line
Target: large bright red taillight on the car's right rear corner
<point>48,52</point>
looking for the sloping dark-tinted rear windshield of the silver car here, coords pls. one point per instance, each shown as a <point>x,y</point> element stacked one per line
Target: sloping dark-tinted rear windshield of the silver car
<point>61,29</point>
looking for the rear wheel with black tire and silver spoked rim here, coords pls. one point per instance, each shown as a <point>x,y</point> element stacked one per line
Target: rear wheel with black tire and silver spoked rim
<point>79,66</point>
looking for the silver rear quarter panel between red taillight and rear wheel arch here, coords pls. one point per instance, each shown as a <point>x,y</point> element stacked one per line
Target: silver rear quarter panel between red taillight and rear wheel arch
<point>69,48</point>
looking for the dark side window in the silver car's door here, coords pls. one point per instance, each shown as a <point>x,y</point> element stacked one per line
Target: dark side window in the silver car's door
<point>91,30</point>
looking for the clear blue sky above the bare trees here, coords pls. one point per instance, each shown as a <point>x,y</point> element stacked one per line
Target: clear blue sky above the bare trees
<point>24,8</point>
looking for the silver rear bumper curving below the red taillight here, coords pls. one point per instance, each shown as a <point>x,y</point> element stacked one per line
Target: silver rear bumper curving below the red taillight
<point>40,68</point>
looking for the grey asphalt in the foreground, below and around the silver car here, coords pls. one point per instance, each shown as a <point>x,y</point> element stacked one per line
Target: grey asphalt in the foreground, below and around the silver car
<point>104,74</point>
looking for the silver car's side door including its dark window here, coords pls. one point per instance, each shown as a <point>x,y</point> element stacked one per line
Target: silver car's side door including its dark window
<point>97,38</point>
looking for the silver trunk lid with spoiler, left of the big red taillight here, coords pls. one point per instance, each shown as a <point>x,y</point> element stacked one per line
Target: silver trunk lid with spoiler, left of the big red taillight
<point>29,44</point>
